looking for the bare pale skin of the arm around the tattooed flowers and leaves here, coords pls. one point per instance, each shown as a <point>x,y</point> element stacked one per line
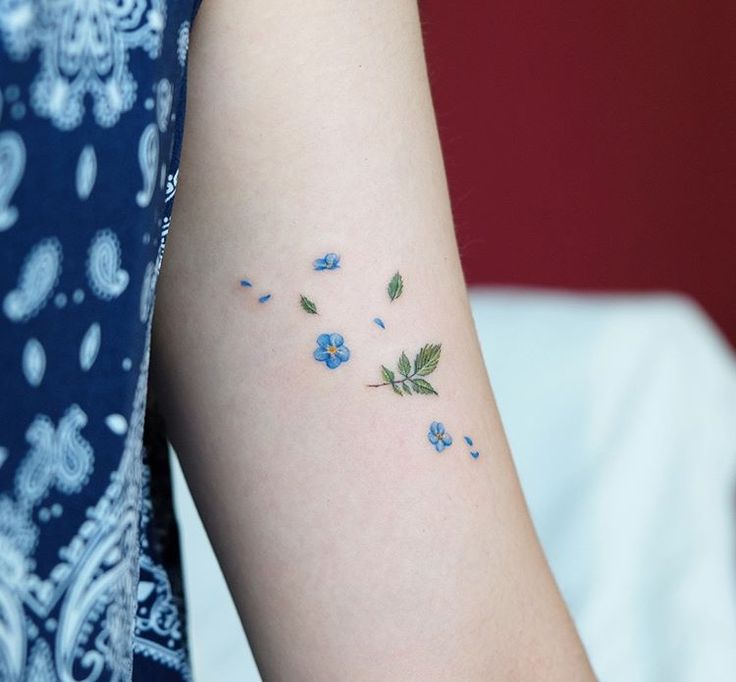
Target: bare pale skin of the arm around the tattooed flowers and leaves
<point>353,549</point>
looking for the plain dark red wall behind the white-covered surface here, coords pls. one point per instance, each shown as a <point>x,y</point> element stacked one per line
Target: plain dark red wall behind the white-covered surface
<point>591,144</point>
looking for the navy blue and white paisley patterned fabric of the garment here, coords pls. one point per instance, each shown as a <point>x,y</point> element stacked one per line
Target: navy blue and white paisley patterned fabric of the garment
<point>91,116</point>
